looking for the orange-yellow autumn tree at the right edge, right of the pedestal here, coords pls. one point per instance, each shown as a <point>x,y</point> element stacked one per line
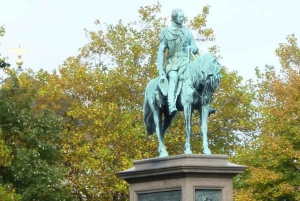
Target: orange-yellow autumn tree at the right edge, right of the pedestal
<point>273,159</point>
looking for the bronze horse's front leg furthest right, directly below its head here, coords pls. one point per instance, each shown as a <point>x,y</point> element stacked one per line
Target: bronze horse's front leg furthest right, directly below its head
<point>204,118</point>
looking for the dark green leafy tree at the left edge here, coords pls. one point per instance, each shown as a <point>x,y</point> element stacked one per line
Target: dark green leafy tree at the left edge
<point>31,164</point>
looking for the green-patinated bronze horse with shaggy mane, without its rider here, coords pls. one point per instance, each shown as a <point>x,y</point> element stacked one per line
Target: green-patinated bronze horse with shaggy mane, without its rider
<point>195,90</point>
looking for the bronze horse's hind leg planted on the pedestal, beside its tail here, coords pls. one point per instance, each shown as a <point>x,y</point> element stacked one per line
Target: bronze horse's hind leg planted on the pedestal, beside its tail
<point>160,136</point>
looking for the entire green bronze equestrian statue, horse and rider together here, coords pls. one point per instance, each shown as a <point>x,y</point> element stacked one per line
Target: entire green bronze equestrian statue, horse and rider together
<point>188,84</point>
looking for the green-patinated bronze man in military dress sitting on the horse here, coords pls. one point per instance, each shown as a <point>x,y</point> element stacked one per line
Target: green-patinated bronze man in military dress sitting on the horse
<point>179,41</point>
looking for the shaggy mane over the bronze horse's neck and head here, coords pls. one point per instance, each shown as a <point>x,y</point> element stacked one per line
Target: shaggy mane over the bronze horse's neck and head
<point>203,66</point>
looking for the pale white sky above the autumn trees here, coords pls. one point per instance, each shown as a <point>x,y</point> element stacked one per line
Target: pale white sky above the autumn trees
<point>247,32</point>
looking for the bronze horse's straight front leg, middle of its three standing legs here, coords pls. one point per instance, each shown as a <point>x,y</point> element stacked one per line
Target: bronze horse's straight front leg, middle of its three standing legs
<point>187,117</point>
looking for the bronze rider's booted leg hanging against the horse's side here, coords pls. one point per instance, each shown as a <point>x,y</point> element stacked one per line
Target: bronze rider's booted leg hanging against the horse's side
<point>173,76</point>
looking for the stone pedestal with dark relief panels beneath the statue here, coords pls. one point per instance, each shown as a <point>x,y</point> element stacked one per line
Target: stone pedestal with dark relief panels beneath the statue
<point>188,177</point>
